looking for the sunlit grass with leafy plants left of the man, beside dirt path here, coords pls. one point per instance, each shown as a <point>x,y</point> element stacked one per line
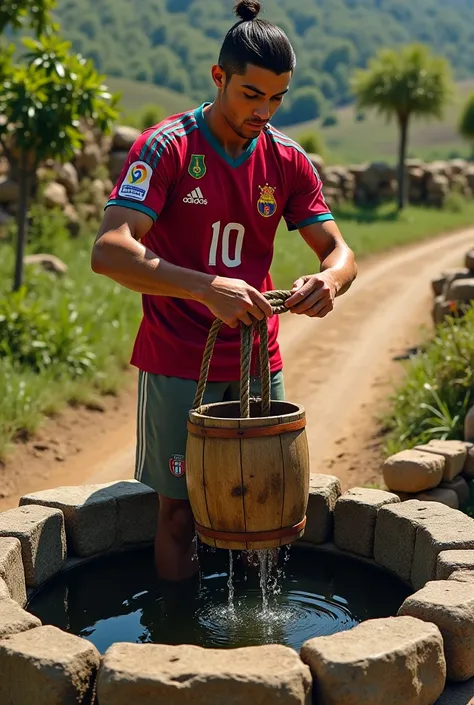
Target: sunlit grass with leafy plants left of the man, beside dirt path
<point>67,341</point>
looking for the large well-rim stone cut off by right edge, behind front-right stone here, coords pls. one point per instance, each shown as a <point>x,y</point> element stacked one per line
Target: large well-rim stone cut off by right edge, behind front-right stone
<point>450,605</point>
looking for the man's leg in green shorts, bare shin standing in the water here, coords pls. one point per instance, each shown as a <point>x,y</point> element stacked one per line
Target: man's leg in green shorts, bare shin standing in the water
<point>163,408</point>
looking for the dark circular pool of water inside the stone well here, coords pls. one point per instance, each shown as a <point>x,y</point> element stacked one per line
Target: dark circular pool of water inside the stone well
<point>307,593</point>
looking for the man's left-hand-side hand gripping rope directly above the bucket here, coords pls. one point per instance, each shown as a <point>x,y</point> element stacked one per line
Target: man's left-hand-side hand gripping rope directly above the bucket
<point>233,300</point>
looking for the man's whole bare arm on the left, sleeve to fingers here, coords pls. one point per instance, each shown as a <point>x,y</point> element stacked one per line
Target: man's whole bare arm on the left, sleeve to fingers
<point>118,254</point>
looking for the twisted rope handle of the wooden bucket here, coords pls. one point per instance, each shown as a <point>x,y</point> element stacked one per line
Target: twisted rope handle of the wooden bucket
<point>277,300</point>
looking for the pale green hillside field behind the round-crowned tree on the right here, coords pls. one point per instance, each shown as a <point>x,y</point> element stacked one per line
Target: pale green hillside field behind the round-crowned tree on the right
<point>352,142</point>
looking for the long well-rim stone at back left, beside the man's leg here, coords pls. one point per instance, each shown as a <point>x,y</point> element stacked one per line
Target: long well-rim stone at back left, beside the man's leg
<point>101,517</point>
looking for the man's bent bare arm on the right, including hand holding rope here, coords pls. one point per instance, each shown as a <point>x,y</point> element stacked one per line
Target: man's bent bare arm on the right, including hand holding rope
<point>314,294</point>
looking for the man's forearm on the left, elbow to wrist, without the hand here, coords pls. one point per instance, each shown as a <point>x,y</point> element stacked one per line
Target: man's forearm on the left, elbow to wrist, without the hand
<point>134,266</point>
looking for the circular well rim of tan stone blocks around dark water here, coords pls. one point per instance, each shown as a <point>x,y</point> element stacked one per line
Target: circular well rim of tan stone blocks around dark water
<point>423,656</point>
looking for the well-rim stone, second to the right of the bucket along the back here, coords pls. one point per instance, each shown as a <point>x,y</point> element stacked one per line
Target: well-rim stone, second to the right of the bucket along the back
<point>355,516</point>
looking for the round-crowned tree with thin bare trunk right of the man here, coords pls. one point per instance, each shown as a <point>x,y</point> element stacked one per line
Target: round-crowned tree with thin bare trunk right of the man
<point>401,85</point>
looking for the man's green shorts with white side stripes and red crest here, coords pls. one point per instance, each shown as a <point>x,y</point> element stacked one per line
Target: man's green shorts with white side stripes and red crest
<point>163,409</point>
